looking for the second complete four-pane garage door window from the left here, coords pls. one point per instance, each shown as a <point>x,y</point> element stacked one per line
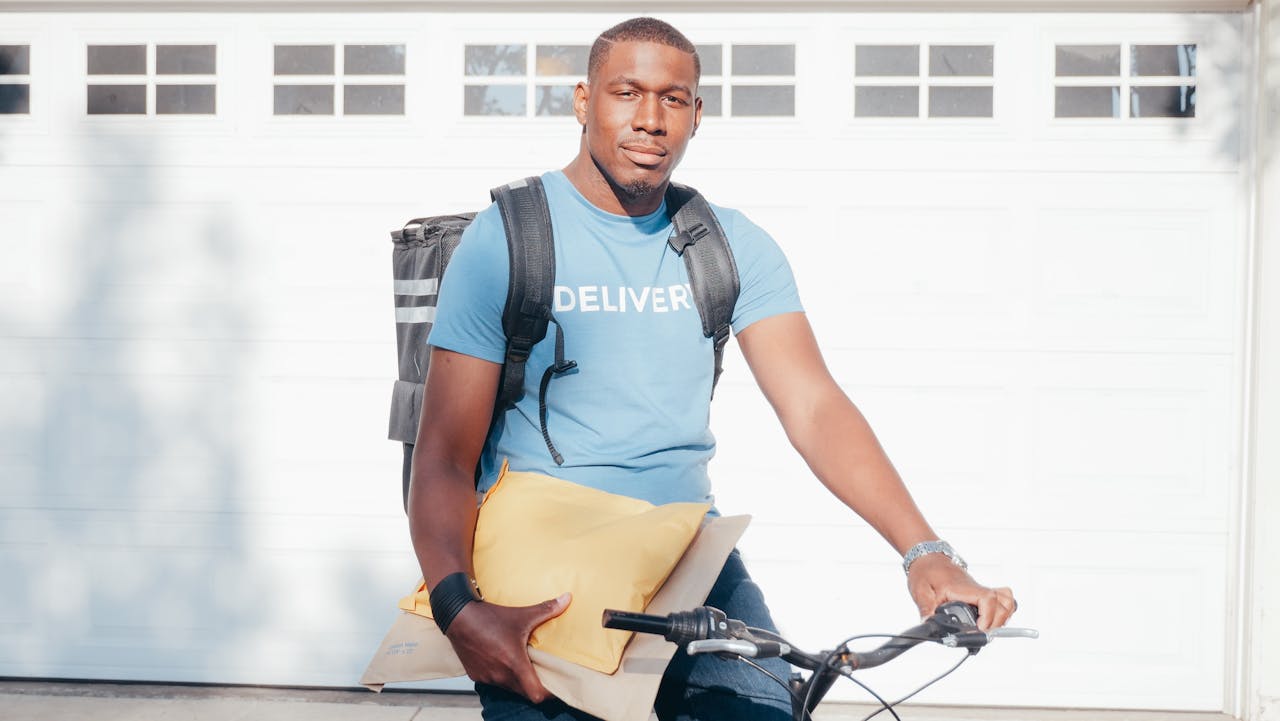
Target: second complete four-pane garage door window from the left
<point>309,77</point>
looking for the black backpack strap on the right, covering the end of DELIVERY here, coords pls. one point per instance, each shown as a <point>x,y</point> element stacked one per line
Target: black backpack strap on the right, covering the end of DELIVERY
<point>701,240</point>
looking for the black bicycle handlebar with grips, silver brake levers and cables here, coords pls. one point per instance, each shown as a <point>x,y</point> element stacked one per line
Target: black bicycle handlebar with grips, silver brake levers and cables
<point>710,631</point>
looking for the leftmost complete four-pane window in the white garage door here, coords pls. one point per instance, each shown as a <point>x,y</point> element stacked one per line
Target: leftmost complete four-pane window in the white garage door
<point>162,80</point>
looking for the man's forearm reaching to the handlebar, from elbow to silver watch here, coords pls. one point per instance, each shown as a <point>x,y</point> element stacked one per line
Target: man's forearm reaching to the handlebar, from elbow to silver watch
<point>843,451</point>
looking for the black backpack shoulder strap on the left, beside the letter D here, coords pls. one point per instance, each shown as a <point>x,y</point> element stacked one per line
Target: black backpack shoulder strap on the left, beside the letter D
<point>533,276</point>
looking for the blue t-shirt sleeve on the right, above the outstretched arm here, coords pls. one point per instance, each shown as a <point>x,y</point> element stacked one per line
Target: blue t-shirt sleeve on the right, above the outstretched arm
<point>767,285</point>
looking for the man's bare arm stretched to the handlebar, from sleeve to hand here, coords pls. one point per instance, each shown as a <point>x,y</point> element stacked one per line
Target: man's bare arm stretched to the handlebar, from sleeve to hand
<point>840,448</point>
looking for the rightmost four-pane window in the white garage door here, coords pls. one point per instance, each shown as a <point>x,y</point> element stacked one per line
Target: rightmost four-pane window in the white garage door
<point>1124,81</point>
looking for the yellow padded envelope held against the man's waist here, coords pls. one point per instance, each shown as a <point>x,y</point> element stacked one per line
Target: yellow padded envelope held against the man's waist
<point>538,537</point>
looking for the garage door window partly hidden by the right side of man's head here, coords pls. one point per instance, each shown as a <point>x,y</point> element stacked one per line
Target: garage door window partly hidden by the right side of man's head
<point>748,81</point>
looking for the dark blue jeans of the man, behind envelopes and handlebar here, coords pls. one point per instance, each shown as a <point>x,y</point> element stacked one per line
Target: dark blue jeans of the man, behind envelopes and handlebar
<point>694,688</point>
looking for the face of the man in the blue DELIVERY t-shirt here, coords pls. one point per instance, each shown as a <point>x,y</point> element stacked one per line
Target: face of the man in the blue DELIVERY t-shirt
<point>639,113</point>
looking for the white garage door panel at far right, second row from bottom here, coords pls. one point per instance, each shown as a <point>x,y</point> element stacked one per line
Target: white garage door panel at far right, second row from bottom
<point>1150,436</point>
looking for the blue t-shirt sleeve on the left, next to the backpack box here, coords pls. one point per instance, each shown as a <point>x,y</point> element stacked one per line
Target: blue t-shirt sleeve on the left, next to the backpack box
<point>474,293</point>
